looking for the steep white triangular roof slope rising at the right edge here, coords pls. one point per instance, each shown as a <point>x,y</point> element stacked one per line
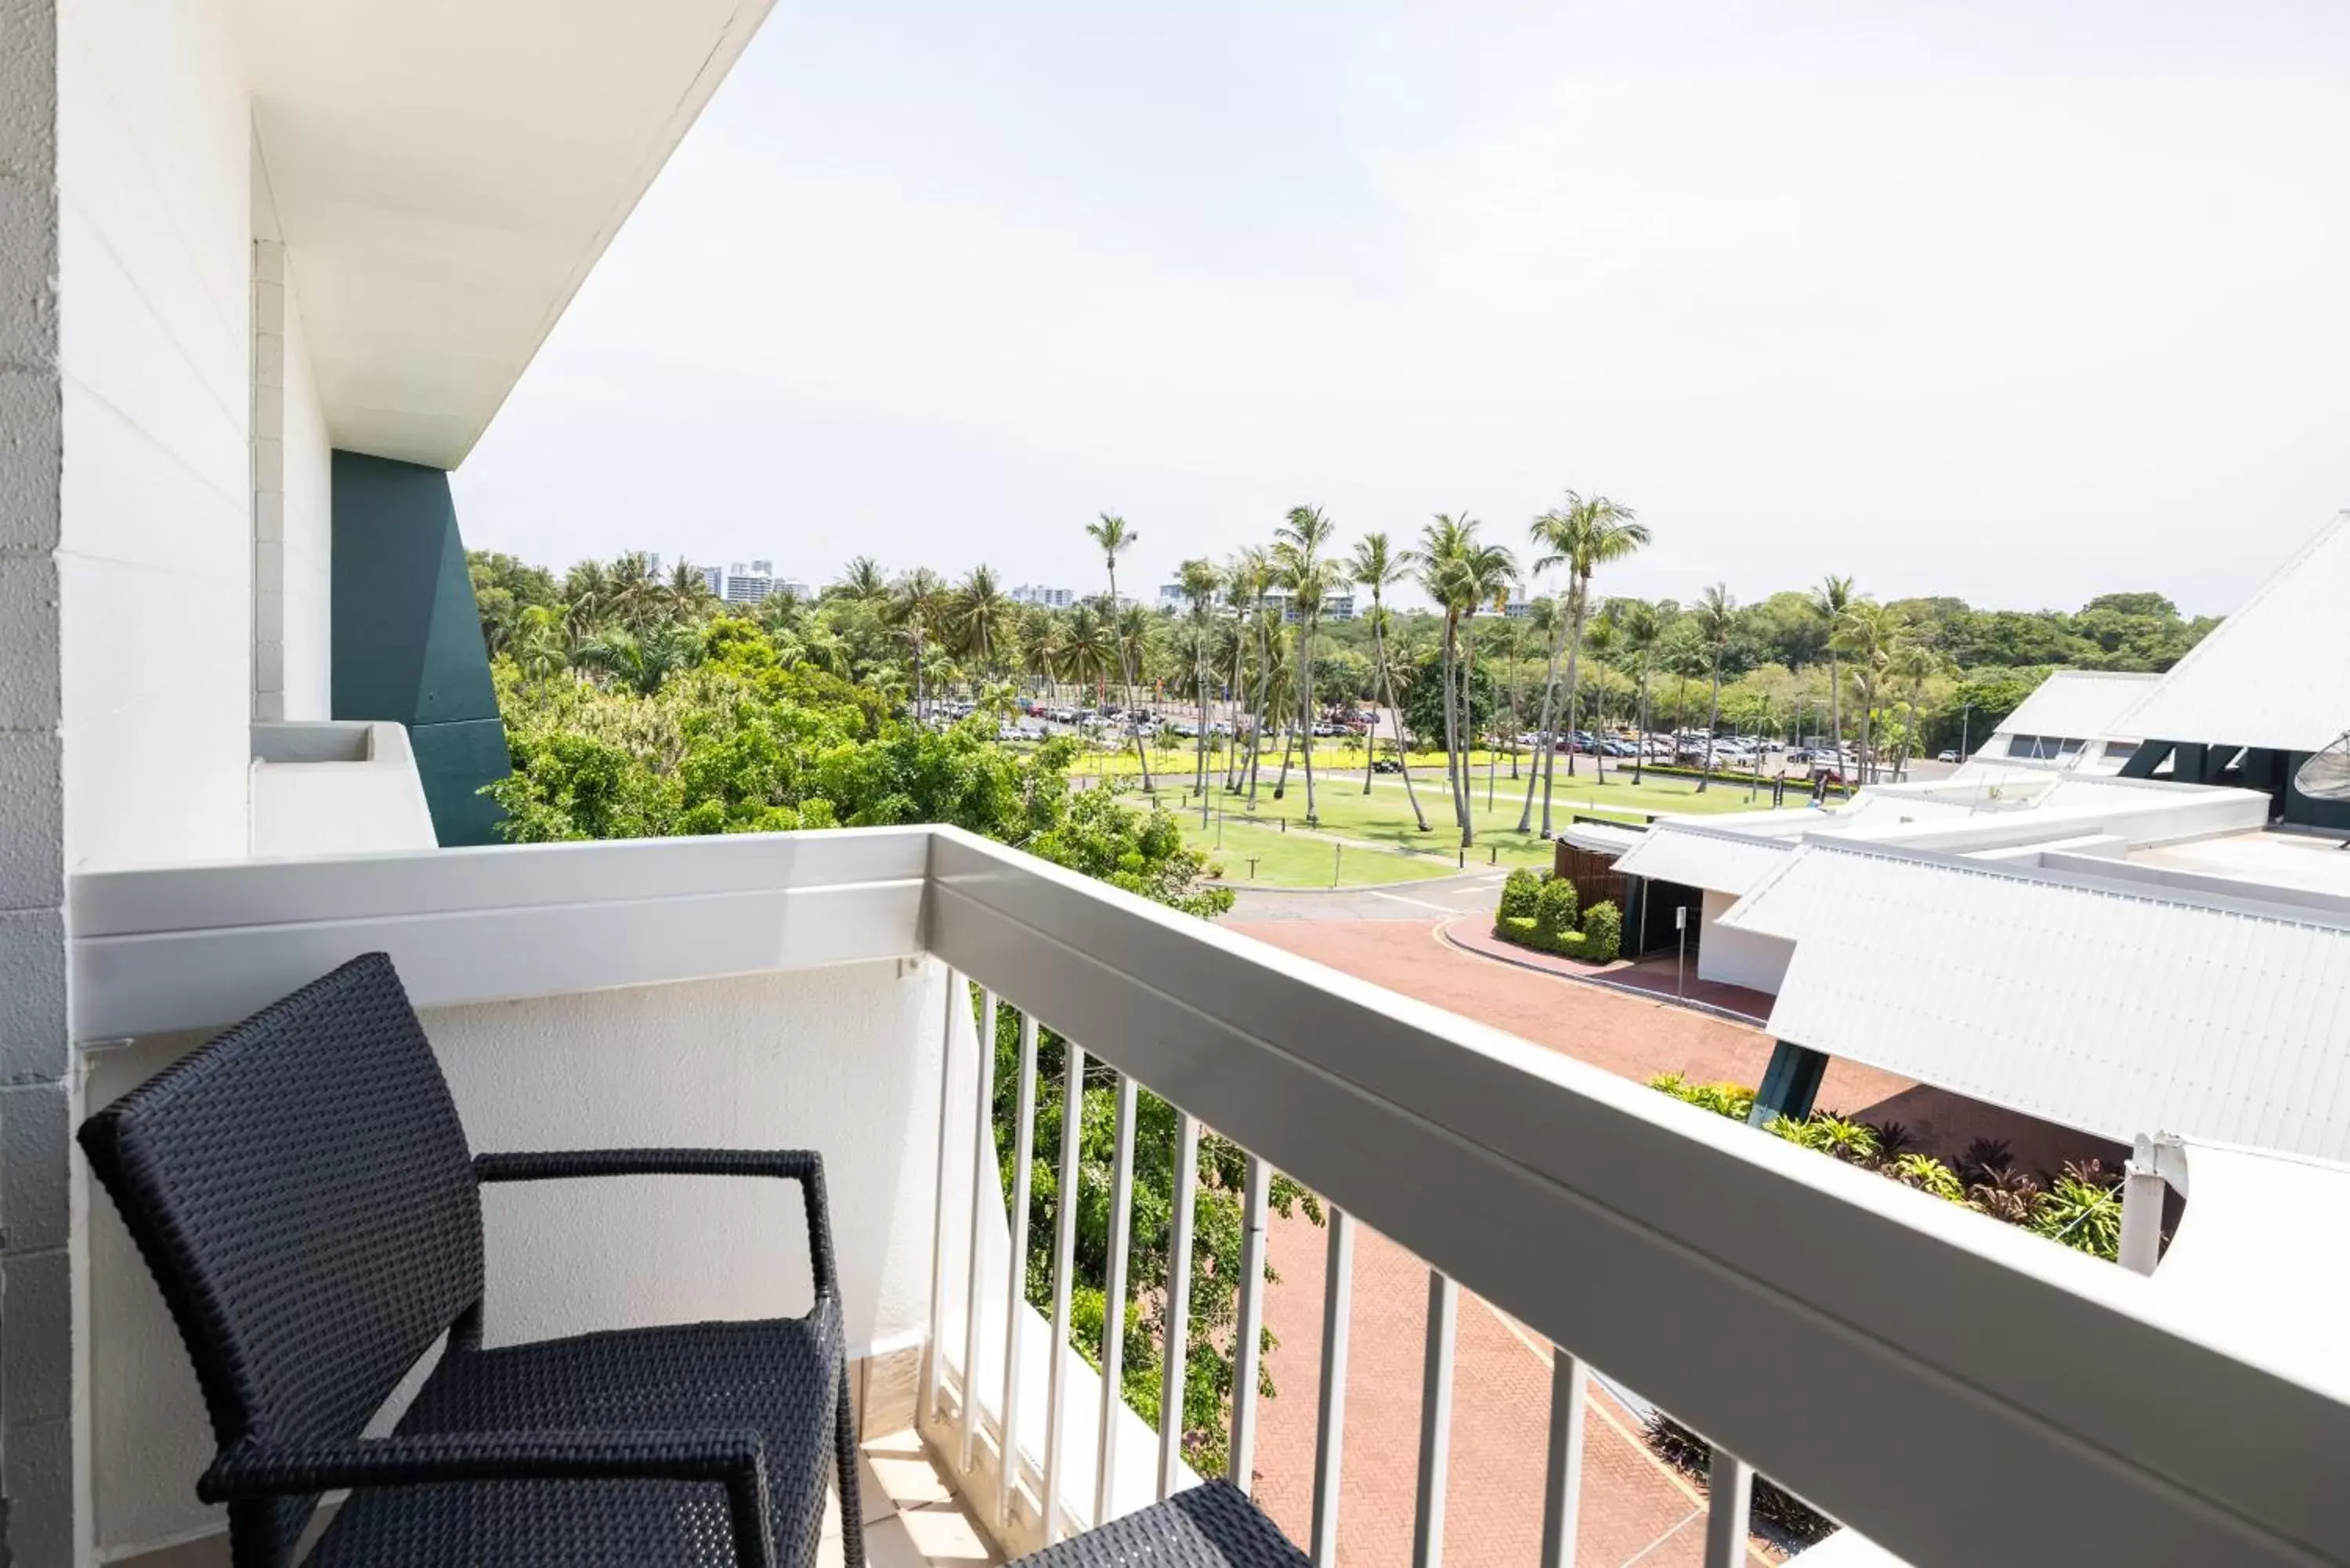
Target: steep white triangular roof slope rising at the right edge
<point>2276,674</point>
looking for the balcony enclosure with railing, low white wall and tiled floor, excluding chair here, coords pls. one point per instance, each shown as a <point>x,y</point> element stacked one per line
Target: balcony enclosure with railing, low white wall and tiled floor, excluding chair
<point>1954,1391</point>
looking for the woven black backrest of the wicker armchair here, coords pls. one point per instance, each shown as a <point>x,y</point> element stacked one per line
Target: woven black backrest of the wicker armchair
<point>307,1200</point>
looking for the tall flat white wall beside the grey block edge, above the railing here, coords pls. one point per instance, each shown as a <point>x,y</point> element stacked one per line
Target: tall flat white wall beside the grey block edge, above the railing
<point>154,354</point>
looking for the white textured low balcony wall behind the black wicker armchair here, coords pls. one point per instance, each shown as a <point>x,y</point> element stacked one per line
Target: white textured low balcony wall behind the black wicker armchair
<point>833,1059</point>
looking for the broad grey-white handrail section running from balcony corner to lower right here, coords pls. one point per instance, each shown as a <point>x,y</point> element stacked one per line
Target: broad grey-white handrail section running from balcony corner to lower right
<point>1752,1287</point>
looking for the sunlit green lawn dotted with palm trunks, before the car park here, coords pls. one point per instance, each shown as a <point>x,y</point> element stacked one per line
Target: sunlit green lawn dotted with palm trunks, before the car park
<point>1385,817</point>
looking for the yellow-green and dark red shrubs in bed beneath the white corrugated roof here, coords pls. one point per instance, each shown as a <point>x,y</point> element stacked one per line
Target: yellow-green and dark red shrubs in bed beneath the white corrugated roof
<point>2079,1207</point>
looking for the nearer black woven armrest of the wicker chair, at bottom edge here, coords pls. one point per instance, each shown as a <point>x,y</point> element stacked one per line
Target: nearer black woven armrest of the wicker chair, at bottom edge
<point>732,1459</point>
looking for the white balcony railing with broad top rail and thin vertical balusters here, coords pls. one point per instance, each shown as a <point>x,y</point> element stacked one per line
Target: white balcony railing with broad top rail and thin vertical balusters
<point>1956,1391</point>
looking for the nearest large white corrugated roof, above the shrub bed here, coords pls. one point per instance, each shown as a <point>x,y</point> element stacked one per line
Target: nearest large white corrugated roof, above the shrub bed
<point>2081,1000</point>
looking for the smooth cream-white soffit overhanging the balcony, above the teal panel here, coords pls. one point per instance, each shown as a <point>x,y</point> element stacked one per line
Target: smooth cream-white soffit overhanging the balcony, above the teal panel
<point>445,173</point>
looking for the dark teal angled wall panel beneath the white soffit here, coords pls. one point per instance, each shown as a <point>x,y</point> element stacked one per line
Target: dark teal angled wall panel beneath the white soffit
<point>408,641</point>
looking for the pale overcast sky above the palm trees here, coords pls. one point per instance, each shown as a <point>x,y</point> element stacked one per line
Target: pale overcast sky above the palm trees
<point>2013,302</point>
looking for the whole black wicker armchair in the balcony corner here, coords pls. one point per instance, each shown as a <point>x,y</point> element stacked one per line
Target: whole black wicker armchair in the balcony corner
<point>307,1200</point>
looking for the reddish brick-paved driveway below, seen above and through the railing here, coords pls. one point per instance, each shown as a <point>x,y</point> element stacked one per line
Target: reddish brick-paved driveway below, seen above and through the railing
<point>1500,1405</point>
